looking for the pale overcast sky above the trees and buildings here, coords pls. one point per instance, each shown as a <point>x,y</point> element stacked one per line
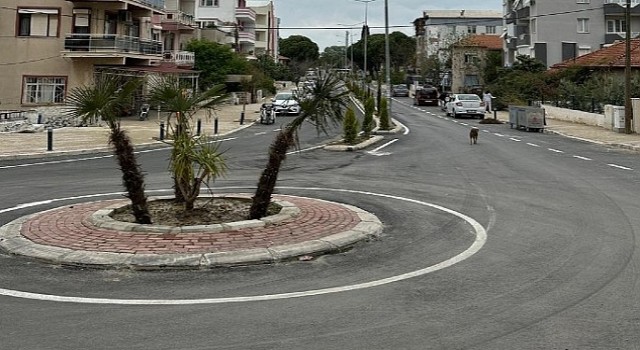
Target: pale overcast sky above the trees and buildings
<point>300,16</point>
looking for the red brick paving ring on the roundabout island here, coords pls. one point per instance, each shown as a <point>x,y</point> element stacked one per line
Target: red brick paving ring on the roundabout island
<point>70,227</point>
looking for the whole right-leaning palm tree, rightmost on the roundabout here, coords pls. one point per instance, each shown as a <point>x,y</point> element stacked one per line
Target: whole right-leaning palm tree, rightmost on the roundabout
<point>325,106</point>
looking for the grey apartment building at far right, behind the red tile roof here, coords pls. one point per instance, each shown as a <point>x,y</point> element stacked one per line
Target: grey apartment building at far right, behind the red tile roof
<point>554,31</point>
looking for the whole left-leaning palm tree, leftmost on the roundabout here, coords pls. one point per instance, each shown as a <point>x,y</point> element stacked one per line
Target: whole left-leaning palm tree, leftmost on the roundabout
<point>105,100</point>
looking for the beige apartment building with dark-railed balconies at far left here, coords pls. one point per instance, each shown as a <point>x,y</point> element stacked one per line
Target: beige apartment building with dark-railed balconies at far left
<point>51,46</point>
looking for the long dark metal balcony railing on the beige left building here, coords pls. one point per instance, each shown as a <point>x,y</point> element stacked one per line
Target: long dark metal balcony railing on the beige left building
<point>111,43</point>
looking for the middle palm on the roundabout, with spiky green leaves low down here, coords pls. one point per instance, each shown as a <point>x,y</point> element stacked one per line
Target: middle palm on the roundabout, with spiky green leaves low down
<point>193,160</point>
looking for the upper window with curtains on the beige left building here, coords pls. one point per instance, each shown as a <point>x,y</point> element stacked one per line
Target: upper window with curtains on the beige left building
<point>38,22</point>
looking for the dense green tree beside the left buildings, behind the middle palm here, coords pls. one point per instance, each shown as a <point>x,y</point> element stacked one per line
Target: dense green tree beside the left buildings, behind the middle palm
<point>215,61</point>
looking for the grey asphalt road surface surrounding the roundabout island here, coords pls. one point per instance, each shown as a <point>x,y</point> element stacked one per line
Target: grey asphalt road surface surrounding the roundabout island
<point>558,270</point>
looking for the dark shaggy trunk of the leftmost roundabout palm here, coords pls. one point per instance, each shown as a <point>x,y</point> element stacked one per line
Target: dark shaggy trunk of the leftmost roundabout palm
<point>132,177</point>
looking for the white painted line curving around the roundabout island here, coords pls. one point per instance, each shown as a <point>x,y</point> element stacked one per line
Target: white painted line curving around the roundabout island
<point>478,243</point>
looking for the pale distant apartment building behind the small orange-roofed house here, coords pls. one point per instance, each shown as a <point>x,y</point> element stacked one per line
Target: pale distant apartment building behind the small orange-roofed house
<point>438,30</point>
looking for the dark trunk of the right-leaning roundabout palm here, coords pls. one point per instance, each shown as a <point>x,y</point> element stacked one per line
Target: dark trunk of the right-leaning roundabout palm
<point>269,177</point>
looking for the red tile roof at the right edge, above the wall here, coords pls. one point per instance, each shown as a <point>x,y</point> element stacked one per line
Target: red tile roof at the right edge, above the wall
<point>612,56</point>
